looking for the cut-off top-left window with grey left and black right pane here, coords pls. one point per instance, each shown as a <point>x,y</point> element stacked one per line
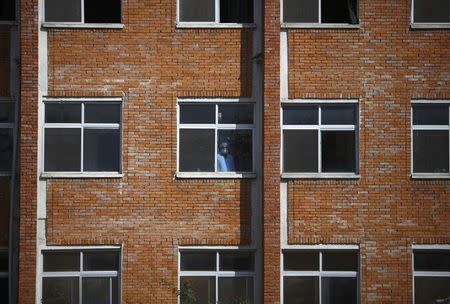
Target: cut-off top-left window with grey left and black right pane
<point>93,11</point>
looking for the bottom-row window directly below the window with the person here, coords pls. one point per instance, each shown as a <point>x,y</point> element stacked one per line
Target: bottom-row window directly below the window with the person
<point>207,276</point>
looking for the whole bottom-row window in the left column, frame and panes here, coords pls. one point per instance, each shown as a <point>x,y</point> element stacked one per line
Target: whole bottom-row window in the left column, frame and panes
<point>81,276</point>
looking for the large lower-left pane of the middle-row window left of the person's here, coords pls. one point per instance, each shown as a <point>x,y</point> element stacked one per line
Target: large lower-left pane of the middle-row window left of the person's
<point>62,150</point>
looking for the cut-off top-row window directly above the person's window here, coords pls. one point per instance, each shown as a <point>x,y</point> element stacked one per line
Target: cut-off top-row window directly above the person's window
<point>215,11</point>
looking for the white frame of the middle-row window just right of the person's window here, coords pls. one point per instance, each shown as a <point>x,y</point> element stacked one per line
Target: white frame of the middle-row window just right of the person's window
<point>319,127</point>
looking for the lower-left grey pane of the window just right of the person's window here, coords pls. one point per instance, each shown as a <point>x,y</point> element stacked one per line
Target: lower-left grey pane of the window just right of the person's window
<point>300,151</point>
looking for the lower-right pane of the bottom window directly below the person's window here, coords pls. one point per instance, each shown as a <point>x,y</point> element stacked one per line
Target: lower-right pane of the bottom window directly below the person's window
<point>235,290</point>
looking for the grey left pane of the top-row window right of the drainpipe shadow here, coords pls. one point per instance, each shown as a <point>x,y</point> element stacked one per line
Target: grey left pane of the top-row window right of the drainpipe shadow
<point>301,11</point>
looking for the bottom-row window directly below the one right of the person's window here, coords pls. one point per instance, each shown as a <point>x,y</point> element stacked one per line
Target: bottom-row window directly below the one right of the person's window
<point>320,277</point>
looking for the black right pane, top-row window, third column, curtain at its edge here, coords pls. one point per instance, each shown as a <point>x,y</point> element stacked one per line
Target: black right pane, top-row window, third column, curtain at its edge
<point>340,11</point>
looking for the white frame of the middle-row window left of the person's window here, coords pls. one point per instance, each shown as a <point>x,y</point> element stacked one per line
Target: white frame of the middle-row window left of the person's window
<point>82,126</point>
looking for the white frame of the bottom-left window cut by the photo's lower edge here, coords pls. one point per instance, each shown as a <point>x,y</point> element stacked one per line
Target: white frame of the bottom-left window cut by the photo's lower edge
<point>83,274</point>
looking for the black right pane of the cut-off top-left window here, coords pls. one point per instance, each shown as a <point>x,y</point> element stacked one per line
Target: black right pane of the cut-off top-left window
<point>102,11</point>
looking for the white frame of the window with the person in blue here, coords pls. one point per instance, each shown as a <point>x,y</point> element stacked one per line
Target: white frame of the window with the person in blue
<point>216,126</point>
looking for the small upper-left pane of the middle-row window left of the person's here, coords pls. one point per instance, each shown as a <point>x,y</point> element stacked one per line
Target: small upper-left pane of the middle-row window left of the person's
<point>62,113</point>
